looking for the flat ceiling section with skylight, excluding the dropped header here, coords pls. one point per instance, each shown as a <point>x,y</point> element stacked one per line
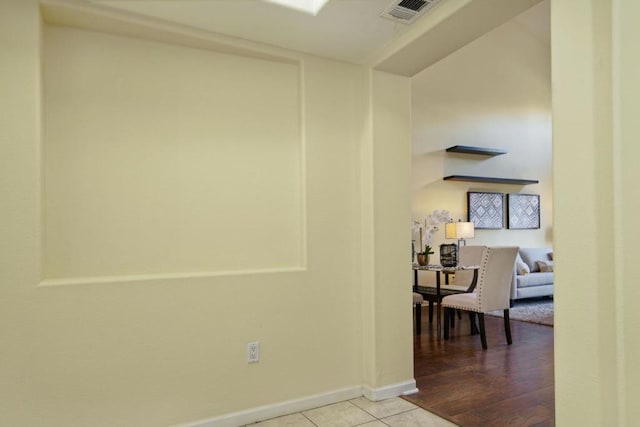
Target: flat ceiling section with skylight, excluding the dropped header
<point>347,30</point>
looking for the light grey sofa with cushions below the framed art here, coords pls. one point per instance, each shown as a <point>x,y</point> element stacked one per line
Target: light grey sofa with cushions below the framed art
<point>532,273</point>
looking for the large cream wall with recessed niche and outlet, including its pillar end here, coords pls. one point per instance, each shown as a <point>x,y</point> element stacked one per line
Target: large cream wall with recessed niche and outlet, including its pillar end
<point>130,331</point>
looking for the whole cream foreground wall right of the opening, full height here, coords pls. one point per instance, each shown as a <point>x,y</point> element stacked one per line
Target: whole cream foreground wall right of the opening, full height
<point>596,105</point>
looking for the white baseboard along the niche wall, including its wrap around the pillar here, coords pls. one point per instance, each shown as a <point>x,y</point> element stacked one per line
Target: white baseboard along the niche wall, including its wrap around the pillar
<point>253,415</point>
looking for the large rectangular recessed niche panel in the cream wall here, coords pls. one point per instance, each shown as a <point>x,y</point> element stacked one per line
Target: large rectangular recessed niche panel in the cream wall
<point>162,159</point>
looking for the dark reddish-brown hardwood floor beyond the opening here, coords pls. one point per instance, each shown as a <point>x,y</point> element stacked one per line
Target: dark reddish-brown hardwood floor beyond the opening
<point>506,385</point>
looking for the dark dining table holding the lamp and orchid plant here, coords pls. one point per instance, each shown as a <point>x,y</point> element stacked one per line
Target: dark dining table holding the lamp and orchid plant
<point>440,292</point>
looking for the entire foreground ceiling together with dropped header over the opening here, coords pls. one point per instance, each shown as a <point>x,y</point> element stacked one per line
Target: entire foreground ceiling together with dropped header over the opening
<point>347,30</point>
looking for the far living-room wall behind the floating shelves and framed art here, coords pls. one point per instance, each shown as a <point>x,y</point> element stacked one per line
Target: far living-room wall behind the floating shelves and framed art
<point>494,92</point>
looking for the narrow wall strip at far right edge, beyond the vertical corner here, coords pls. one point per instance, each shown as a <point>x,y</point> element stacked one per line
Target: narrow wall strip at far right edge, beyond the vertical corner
<point>626,150</point>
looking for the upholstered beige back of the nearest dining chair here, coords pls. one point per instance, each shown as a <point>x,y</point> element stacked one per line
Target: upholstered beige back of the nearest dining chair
<point>494,278</point>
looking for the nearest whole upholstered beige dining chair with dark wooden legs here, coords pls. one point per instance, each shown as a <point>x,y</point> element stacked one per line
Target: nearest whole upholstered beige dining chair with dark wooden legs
<point>491,293</point>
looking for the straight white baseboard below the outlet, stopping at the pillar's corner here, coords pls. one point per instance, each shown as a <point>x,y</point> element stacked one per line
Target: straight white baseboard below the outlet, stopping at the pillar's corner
<point>260,413</point>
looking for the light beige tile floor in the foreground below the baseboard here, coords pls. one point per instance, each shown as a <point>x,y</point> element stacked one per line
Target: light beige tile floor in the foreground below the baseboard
<point>394,412</point>
